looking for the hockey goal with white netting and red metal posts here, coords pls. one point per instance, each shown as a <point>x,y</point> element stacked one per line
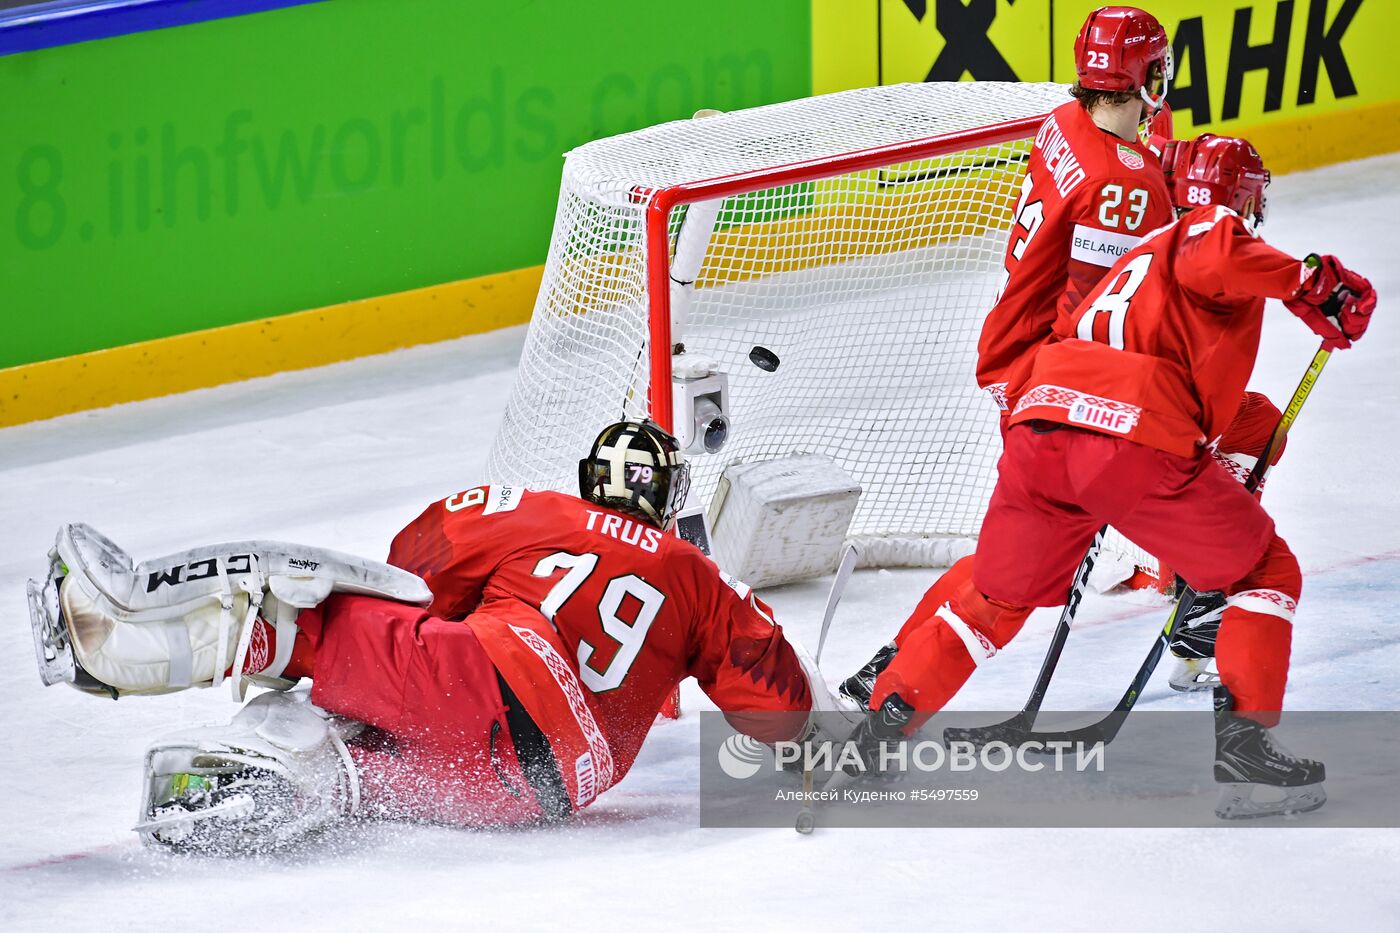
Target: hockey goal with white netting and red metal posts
<point>857,236</point>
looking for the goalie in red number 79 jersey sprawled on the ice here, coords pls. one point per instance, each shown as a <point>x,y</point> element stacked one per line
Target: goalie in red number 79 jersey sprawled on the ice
<point>554,630</point>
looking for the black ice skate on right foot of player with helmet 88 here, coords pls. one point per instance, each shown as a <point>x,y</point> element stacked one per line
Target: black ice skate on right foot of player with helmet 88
<point>1248,757</point>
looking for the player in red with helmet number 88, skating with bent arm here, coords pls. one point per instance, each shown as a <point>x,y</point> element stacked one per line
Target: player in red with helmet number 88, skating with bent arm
<point>1114,424</point>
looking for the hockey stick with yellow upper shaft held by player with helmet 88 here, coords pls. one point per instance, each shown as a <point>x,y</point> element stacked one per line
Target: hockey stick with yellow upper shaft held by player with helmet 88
<point>1108,728</point>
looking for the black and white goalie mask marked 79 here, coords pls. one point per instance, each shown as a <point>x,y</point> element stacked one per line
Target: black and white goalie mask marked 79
<point>638,469</point>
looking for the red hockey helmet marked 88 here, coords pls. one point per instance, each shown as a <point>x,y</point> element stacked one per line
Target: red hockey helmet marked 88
<point>1217,170</point>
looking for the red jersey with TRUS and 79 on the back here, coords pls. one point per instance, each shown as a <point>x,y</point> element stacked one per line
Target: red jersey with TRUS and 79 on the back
<point>544,578</point>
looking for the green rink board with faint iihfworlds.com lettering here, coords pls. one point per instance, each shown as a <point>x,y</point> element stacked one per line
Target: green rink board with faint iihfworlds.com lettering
<point>211,174</point>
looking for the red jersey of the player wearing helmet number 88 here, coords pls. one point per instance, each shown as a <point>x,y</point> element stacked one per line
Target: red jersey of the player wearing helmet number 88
<point>1161,352</point>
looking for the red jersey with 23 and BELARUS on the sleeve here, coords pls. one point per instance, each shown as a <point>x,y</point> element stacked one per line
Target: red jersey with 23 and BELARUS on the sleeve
<point>1087,200</point>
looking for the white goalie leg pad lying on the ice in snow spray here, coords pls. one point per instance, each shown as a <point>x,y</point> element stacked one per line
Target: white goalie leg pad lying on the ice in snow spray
<point>276,773</point>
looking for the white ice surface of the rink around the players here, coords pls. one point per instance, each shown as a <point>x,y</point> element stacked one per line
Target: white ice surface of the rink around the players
<point>345,456</point>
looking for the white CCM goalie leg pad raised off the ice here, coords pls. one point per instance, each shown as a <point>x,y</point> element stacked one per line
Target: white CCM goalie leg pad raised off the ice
<point>107,626</point>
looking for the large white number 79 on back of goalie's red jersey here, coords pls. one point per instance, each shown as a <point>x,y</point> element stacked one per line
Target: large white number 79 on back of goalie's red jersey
<point>628,635</point>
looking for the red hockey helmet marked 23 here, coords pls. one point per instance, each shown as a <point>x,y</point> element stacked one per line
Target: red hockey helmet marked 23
<point>1125,50</point>
